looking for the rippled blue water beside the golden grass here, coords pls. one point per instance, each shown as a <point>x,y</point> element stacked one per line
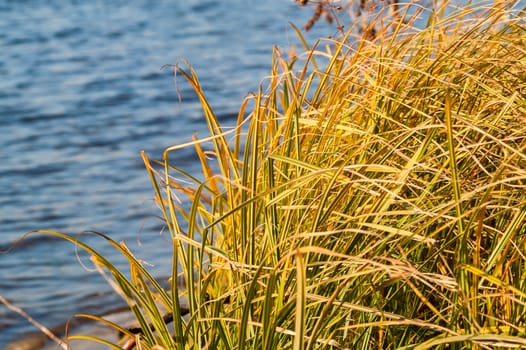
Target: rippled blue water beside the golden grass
<point>82,92</point>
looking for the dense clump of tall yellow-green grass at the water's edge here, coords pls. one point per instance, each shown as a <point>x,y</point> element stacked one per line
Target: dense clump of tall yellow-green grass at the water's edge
<point>372,196</point>
